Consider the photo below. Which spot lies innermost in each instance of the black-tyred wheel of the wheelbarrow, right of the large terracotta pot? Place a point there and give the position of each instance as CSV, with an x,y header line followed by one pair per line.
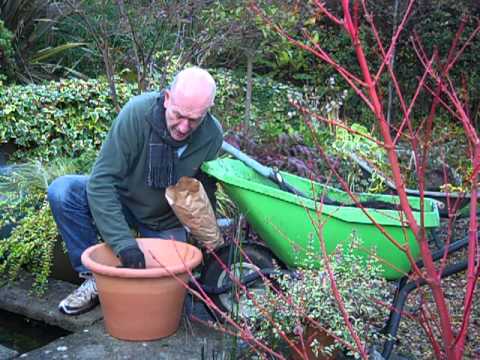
x,y
216,275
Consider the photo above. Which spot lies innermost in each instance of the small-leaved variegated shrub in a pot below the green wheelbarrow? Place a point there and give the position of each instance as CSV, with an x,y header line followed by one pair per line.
x,y
304,309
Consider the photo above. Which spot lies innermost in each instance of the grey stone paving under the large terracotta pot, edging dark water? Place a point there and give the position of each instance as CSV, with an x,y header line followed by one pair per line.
x,y
90,340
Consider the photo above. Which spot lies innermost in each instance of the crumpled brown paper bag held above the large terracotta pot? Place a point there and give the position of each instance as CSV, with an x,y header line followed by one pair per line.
x,y
190,203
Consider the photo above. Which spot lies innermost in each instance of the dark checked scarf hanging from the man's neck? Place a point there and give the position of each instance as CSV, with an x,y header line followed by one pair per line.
x,y
162,149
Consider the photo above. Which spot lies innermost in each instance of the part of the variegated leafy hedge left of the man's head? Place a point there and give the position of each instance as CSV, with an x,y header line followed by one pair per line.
x,y
57,118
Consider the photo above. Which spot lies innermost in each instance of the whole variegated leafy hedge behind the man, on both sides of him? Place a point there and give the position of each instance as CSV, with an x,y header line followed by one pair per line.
x,y
68,117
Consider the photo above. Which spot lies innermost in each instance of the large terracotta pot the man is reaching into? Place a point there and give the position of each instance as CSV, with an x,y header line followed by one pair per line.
x,y
142,304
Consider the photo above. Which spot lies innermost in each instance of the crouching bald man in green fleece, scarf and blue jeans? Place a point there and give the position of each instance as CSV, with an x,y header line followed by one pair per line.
x,y
156,139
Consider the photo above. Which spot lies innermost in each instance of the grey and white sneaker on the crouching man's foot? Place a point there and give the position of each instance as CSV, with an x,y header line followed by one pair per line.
x,y
82,299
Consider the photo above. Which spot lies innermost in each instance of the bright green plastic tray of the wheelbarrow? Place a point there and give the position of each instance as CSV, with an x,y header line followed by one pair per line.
x,y
290,224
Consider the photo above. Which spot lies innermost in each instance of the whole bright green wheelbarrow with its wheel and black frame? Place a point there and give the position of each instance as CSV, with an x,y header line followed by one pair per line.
x,y
286,218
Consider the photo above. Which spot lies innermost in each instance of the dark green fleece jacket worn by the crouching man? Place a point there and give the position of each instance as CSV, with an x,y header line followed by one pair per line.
x,y
118,176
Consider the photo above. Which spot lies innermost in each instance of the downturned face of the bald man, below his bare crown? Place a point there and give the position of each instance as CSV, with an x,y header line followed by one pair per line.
x,y
183,115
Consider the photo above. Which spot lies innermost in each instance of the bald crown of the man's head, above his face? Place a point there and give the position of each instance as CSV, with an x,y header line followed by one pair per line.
x,y
194,84
